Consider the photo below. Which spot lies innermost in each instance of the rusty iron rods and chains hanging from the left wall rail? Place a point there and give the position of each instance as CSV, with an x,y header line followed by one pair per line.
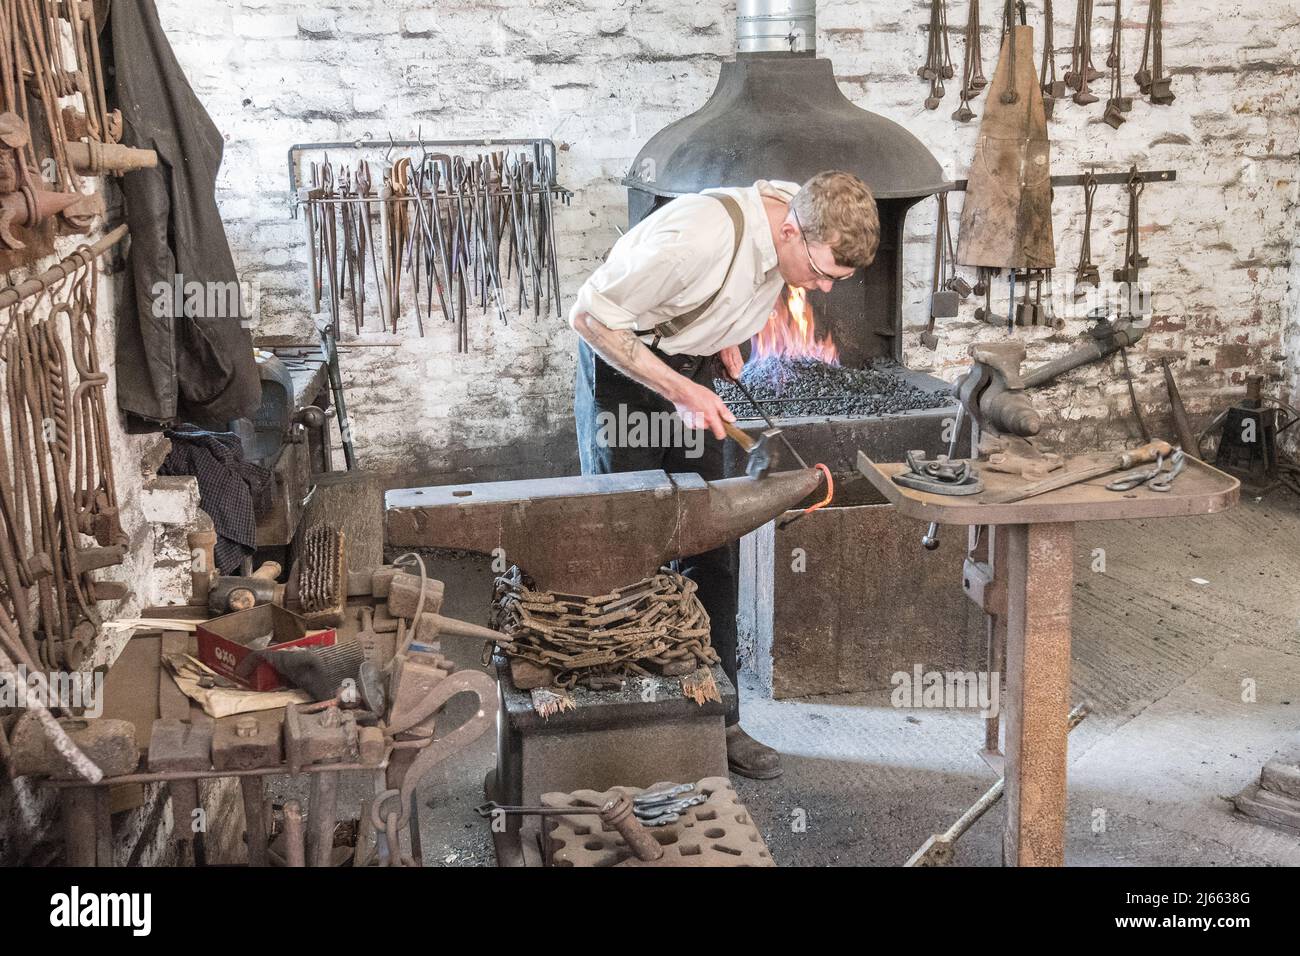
x,y
57,474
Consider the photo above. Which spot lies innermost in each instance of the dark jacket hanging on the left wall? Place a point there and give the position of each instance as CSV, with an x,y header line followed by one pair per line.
x,y
193,367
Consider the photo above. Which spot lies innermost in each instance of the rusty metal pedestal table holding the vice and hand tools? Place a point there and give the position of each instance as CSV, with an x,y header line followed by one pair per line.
x,y
1039,600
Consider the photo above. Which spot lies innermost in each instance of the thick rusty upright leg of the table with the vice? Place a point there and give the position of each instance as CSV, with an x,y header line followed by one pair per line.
x,y
1041,591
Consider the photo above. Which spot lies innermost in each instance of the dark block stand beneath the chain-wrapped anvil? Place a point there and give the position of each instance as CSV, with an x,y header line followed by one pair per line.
x,y
636,737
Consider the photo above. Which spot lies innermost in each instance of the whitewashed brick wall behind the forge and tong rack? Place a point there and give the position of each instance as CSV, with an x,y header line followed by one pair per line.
x,y
603,76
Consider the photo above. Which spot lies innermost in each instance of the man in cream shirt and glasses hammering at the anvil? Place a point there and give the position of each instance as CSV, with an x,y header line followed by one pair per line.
x,y
673,305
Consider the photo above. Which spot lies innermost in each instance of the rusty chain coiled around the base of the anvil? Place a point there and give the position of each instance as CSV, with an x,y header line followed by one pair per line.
x,y
656,624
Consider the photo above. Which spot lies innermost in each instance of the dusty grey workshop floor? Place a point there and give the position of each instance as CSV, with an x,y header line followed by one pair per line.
x,y
1185,613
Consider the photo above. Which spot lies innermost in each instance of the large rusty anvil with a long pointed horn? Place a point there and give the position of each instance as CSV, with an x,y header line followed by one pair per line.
x,y
595,534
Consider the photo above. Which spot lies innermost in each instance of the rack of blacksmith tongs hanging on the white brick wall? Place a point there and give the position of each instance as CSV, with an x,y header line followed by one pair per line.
x,y
427,227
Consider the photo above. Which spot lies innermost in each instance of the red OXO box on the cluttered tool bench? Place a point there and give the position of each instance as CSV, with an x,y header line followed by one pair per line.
x,y
224,642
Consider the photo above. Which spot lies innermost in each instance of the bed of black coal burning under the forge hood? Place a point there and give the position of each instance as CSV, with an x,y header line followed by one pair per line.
x,y
799,388
